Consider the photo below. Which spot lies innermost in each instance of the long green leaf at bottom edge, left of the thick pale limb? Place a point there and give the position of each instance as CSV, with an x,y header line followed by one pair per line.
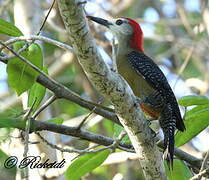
x,y
85,164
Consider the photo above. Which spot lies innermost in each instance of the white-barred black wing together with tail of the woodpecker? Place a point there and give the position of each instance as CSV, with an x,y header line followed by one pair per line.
x,y
170,117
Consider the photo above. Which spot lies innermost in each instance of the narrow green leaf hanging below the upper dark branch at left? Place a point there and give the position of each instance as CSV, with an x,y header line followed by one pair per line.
x,y
36,93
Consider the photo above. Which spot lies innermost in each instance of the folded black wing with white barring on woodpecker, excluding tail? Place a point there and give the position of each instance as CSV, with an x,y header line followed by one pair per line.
x,y
145,67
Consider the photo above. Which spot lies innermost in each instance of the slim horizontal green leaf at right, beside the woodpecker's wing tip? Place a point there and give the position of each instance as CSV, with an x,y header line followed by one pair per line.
x,y
193,100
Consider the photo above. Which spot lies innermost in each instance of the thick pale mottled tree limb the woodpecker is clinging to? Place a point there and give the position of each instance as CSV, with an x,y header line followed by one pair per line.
x,y
113,87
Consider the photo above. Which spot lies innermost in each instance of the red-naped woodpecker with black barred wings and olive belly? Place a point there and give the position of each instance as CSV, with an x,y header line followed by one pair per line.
x,y
145,78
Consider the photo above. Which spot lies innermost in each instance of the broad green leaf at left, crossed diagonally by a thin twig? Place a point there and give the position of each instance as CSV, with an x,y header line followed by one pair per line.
x,y
21,76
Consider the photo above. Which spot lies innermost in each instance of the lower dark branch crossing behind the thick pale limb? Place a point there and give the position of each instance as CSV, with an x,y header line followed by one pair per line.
x,y
37,125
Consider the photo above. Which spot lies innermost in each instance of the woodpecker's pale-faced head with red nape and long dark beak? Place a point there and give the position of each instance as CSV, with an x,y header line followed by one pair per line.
x,y
123,27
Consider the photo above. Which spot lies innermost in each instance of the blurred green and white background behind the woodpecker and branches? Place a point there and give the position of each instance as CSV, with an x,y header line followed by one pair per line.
x,y
176,37
